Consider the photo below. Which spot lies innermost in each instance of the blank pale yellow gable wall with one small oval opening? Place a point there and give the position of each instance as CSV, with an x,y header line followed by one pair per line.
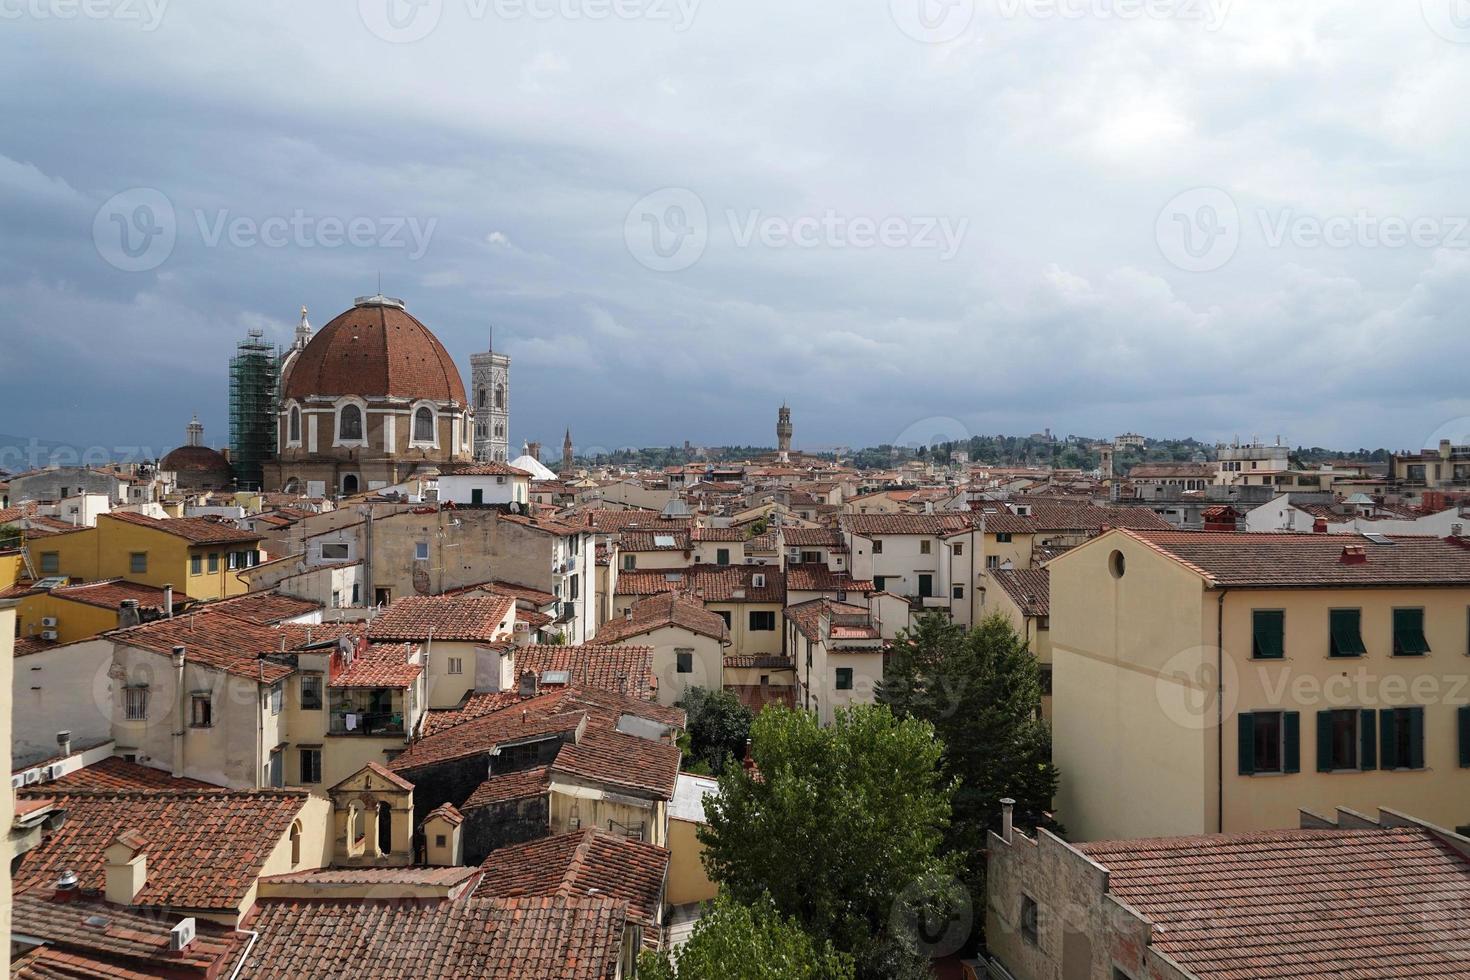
x,y
1134,725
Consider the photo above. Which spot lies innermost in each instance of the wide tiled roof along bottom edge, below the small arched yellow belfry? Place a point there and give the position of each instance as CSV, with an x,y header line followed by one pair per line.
x,y
496,940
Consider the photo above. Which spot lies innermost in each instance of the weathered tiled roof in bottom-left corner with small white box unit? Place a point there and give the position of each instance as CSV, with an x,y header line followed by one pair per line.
x,y
126,944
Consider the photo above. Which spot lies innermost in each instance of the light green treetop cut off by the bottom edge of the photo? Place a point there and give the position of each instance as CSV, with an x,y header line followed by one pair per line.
x,y
747,943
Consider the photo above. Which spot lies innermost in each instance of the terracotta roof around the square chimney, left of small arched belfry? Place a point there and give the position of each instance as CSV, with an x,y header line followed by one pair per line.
x,y
205,847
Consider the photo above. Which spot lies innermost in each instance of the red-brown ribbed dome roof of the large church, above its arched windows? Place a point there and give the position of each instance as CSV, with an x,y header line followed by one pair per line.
x,y
377,349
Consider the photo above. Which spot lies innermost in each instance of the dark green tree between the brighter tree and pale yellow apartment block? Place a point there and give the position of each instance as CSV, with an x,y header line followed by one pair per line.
x,y
981,691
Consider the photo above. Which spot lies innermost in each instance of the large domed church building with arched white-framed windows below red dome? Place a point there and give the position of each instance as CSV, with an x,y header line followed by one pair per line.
x,y
368,402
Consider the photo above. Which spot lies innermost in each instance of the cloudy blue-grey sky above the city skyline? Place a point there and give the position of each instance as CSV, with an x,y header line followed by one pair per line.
x,y
908,218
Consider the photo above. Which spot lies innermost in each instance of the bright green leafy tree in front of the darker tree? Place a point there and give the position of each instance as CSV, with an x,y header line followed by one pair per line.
x,y
839,826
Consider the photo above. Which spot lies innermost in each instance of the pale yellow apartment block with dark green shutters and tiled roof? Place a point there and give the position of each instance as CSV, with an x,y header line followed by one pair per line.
x,y
1221,682
